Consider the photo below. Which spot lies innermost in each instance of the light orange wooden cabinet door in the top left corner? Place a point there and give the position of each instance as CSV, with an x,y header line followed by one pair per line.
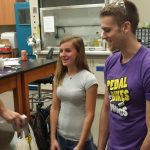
x,y
7,16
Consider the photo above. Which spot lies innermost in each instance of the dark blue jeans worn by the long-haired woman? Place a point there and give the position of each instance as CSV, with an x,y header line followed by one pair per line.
x,y
70,145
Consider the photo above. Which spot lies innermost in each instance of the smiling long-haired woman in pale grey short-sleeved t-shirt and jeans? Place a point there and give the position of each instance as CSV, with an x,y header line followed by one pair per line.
x,y
74,98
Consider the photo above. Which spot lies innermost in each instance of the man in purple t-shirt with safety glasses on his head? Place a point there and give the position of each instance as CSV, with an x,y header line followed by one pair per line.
x,y
125,113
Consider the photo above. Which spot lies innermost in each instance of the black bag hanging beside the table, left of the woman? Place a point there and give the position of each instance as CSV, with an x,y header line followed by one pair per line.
x,y
40,124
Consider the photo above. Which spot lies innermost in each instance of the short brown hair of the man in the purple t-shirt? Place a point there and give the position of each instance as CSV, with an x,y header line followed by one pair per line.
x,y
122,14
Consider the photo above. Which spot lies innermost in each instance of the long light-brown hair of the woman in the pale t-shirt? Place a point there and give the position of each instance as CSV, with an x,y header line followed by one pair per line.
x,y
81,61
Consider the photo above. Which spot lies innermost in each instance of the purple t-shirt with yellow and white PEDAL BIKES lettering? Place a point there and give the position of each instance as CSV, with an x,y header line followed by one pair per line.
x,y
129,88
